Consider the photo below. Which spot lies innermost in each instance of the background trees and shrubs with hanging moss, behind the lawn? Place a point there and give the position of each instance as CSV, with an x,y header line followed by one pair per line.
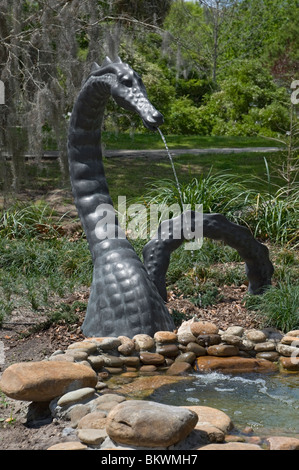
x,y
191,55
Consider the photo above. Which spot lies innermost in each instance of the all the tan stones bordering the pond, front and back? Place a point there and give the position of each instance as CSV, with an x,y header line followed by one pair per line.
x,y
72,386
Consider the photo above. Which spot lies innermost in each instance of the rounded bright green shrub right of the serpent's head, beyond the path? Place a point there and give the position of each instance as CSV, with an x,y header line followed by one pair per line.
x,y
248,103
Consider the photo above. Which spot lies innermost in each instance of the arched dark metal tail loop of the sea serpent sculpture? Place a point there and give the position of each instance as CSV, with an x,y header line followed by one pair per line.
x,y
157,251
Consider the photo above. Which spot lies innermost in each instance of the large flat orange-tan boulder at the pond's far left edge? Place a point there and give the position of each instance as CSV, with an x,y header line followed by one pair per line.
x,y
45,380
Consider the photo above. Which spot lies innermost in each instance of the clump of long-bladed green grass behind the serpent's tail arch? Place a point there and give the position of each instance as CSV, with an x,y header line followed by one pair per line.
x,y
269,216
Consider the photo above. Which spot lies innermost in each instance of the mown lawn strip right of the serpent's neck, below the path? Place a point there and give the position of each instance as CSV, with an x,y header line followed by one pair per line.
x,y
130,177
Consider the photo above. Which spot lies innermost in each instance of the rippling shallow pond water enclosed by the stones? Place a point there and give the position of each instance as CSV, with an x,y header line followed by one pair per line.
x,y
267,403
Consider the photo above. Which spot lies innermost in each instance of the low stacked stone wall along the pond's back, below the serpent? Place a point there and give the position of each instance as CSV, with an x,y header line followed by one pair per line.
x,y
198,345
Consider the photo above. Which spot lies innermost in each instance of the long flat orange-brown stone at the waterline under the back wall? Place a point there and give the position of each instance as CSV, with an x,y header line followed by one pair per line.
x,y
232,364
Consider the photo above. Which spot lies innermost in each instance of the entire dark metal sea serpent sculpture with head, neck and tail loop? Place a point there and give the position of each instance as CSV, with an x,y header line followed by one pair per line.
x,y
128,297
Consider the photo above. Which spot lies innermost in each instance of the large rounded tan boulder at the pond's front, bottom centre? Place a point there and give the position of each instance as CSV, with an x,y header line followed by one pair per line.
x,y
149,424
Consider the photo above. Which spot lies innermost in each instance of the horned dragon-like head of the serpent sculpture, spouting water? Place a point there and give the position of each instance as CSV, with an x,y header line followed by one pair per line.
x,y
128,91
